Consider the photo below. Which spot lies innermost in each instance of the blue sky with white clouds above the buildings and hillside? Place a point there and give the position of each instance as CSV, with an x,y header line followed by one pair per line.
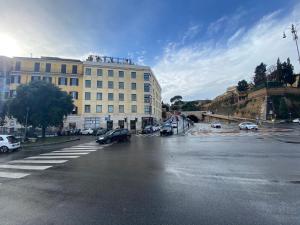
x,y
196,48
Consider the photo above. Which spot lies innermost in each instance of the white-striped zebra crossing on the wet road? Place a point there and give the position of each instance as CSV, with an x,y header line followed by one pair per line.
x,y
21,168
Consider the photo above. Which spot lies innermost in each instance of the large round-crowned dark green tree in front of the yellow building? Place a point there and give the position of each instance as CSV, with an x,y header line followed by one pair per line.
x,y
45,104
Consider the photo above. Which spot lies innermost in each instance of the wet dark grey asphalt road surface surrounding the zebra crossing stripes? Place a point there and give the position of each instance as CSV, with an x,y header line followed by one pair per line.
x,y
152,180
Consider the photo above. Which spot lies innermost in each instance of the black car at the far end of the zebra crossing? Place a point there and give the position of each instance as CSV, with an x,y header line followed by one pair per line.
x,y
114,135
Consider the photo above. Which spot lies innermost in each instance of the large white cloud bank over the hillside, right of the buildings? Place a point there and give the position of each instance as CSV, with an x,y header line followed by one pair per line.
x,y
205,70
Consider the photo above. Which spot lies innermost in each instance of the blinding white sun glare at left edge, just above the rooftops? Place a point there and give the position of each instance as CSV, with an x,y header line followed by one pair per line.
x,y
8,46
